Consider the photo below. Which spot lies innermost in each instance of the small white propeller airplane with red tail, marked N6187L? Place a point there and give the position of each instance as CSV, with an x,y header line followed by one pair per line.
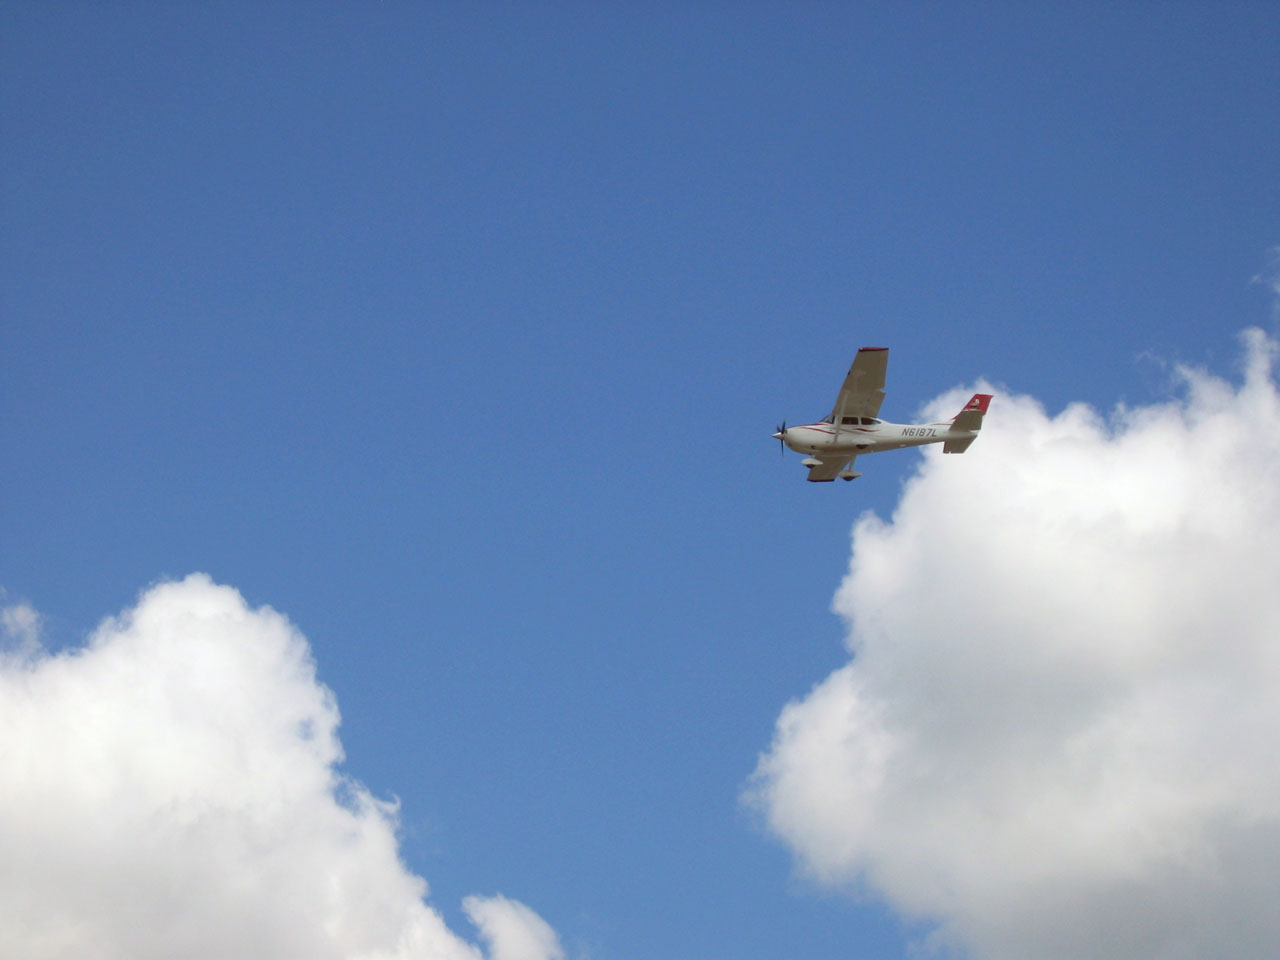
x,y
834,444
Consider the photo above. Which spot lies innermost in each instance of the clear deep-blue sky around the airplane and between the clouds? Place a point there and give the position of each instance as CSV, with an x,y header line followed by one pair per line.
x,y
458,332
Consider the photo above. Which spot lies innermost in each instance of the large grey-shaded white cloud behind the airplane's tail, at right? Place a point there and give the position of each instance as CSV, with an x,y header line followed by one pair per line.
x,y
1059,728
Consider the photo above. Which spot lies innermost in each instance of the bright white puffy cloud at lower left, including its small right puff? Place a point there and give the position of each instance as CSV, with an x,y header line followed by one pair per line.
x,y
172,790
